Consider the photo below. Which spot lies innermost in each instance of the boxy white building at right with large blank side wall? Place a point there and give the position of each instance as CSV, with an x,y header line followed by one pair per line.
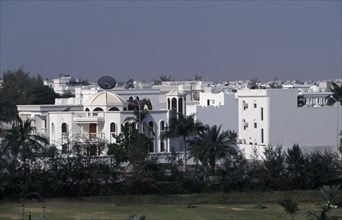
x,y
285,117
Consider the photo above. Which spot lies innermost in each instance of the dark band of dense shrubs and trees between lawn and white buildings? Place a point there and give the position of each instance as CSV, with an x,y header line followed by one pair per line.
x,y
46,170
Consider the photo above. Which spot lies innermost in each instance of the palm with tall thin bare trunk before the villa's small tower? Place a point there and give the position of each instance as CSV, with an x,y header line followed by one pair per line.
x,y
183,126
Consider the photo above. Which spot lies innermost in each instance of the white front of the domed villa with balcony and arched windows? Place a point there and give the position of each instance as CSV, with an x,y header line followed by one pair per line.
x,y
99,118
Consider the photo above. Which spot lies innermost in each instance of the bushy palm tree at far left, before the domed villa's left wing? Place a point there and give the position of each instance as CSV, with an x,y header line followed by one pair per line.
x,y
22,140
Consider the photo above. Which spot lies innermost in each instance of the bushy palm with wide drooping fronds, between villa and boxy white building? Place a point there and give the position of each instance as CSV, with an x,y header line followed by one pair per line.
x,y
212,144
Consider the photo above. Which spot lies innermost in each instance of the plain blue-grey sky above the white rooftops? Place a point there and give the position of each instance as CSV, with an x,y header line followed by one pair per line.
x,y
219,40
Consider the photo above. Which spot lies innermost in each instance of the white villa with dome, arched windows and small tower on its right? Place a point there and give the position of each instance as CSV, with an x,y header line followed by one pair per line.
x,y
95,115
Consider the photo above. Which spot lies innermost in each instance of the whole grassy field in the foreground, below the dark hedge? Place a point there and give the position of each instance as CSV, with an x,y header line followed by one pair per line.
x,y
230,206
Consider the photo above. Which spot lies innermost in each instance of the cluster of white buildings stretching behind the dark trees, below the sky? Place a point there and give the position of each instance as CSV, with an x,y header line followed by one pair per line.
x,y
293,114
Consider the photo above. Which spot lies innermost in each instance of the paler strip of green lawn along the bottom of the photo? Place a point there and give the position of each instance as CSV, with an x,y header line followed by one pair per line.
x,y
95,210
